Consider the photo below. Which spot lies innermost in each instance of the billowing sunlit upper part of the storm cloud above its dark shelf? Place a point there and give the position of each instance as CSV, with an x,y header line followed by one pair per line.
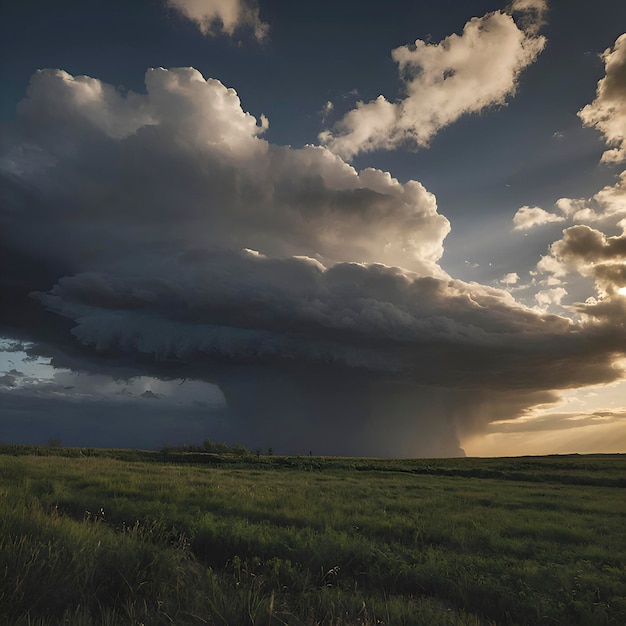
x,y
200,166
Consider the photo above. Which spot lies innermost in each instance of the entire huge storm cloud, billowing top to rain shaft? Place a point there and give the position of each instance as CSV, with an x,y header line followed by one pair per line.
x,y
160,235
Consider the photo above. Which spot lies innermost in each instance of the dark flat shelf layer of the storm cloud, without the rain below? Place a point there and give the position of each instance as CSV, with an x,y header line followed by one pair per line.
x,y
237,307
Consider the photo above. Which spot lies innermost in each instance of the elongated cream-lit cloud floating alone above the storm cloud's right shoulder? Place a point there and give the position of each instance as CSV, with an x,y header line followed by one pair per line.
x,y
460,75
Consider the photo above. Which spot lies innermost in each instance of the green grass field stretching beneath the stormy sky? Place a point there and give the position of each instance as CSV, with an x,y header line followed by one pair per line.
x,y
128,537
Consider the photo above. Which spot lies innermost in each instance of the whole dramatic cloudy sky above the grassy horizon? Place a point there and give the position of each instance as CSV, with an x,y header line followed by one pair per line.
x,y
353,228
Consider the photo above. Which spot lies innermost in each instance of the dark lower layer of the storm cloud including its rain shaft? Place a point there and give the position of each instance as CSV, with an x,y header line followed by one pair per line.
x,y
386,362
